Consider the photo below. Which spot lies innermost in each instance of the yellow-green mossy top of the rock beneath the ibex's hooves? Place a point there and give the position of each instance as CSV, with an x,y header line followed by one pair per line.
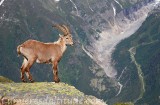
x,y
40,88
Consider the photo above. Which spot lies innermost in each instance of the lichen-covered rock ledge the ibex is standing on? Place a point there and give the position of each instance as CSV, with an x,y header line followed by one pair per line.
x,y
44,93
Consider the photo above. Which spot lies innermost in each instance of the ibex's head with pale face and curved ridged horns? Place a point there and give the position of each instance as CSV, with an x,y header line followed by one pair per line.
x,y
66,37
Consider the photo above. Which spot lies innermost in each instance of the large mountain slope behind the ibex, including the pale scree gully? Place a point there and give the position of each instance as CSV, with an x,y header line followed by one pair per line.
x,y
97,27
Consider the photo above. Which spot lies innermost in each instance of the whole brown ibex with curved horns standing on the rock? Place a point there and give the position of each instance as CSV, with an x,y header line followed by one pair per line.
x,y
36,51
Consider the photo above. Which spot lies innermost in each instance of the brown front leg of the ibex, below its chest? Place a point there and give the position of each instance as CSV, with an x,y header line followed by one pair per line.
x,y
55,72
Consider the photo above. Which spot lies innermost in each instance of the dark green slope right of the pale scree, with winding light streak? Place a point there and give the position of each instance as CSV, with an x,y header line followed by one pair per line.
x,y
143,46
